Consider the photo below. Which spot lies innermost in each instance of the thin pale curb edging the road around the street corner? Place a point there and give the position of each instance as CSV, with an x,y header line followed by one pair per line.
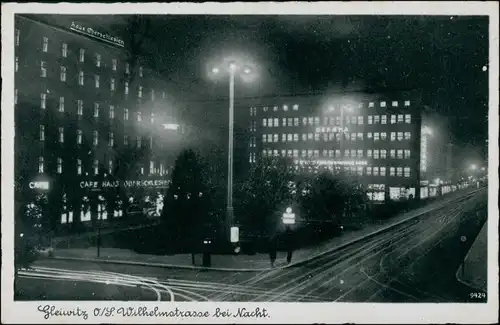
x,y
298,263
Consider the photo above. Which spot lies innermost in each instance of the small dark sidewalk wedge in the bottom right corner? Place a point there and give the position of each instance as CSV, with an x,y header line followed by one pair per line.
x,y
475,267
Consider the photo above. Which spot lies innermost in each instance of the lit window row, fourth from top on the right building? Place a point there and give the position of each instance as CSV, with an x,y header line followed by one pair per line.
x,y
349,153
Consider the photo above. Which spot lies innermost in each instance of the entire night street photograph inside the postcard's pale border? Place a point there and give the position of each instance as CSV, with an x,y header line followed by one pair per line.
x,y
251,158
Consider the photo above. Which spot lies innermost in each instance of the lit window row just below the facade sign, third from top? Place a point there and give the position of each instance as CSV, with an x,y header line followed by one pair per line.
x,y
294,137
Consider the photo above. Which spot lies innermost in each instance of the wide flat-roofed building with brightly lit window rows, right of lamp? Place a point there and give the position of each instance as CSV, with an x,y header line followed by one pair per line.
x,y
373,137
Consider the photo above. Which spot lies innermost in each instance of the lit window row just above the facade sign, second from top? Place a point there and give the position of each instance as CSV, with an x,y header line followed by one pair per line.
x,y
336,121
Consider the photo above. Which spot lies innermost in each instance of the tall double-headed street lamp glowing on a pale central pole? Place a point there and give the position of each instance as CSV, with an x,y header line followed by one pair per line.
x,y
233,69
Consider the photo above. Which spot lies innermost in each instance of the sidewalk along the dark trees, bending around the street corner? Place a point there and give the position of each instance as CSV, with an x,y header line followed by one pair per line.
x,y
257,262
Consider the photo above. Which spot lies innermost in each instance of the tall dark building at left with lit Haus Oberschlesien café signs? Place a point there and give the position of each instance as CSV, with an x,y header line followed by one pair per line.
x,y
93,137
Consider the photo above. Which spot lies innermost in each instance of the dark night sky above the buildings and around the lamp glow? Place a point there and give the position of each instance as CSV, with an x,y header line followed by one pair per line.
x,y
442,55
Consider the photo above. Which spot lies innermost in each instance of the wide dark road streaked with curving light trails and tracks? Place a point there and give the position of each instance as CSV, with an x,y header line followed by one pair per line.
x,y
414,262
